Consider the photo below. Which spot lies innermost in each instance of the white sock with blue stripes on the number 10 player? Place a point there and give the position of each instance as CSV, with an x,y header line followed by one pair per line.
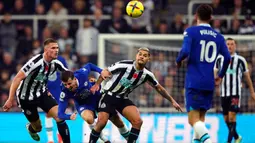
x,y
202,132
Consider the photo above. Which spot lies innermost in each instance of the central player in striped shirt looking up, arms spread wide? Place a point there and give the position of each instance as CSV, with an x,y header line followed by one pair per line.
x,y
125,76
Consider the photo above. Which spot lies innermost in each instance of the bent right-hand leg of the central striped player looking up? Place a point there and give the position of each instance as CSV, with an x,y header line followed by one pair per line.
x,y
131,112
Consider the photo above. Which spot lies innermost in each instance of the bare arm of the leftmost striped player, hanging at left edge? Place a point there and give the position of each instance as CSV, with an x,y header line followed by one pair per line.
x,y
14,86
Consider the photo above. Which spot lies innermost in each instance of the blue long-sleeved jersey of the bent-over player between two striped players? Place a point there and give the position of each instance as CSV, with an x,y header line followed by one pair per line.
x,y
82,95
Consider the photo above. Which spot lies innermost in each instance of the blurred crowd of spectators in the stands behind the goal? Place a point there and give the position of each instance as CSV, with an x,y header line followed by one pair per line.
x,y
79,45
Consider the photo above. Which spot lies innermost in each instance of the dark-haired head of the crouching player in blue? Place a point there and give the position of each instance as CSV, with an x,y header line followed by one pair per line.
x,y
68,80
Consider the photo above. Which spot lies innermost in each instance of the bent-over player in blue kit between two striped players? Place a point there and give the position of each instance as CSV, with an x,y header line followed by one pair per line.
x,y
76,86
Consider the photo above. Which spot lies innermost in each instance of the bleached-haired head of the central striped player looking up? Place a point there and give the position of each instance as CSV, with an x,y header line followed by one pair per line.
x,y
142,56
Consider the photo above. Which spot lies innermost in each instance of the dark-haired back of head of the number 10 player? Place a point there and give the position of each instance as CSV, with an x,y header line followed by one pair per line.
x,y
204,13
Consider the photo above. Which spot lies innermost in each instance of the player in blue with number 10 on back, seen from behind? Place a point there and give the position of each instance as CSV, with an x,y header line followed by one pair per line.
x,y
201,45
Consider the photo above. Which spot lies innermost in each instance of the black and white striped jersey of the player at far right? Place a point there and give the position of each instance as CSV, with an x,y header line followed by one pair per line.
x,y
232,82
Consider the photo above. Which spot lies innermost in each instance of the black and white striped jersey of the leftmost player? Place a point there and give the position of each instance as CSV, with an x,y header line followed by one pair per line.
x,y
37,71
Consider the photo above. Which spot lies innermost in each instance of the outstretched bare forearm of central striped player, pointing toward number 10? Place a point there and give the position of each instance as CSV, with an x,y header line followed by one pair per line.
x,y
162,91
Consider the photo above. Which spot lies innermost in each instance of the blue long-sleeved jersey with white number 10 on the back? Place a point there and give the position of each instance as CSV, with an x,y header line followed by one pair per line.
x,y
201,45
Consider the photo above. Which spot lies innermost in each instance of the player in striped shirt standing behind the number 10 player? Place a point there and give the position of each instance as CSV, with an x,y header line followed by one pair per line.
x,y
231,87
